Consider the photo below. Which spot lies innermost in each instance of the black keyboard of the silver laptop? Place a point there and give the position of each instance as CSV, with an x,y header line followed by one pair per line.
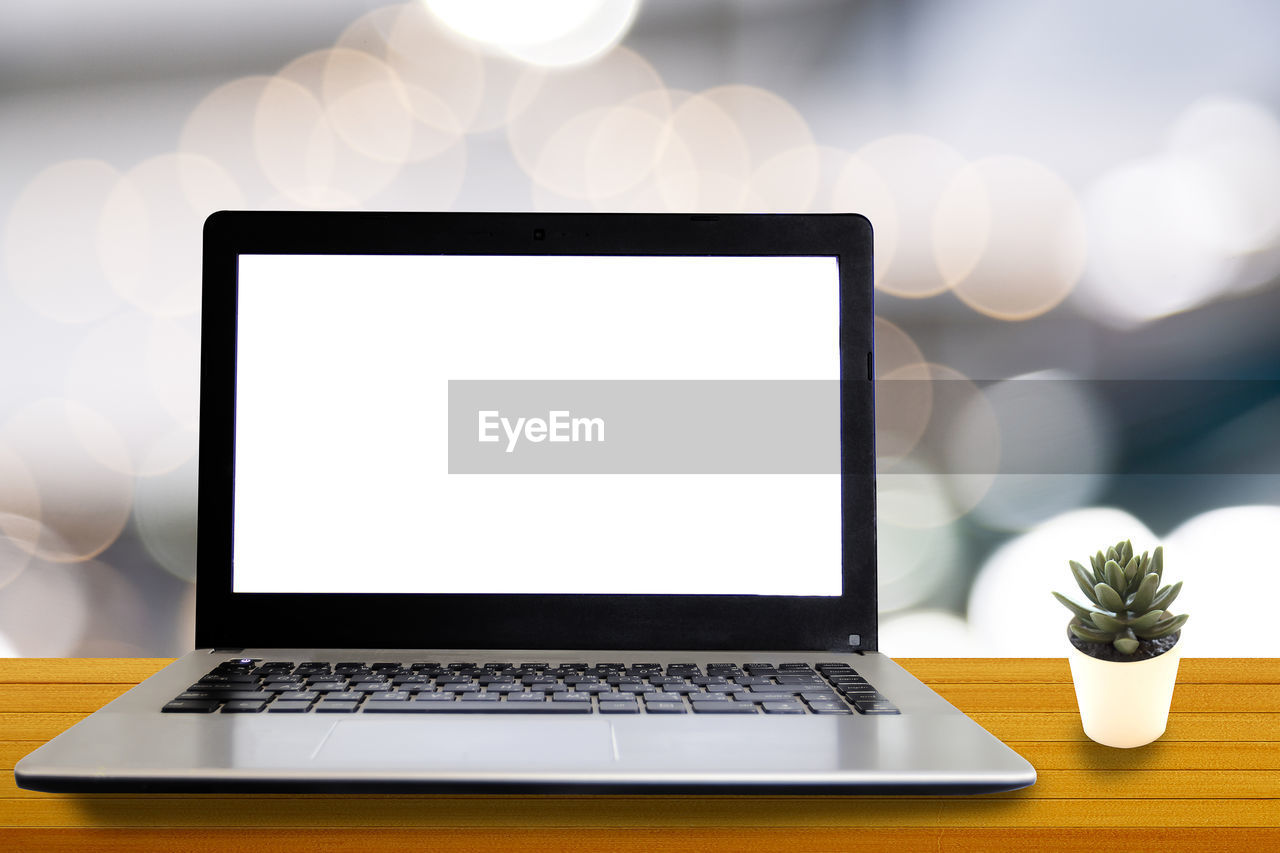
x,y
246,686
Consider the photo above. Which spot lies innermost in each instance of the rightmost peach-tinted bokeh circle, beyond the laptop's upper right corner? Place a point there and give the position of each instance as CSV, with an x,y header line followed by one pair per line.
x,y
1009,238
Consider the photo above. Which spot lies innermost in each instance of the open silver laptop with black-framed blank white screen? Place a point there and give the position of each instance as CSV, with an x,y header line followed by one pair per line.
x,y
534,503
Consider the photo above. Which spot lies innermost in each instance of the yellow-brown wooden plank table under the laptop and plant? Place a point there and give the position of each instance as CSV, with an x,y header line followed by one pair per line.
x,y
1212,783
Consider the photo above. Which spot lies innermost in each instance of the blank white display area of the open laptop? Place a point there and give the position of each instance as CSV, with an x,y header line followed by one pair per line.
x,y
538,425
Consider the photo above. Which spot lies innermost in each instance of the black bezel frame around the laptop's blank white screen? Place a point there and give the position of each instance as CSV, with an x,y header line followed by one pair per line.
x,y
413,621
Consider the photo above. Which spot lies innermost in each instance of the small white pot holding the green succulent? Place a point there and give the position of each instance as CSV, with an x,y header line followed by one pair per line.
x,y
1124,704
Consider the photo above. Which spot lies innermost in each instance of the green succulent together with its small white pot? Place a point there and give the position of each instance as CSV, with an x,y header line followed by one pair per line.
x,y
1126,646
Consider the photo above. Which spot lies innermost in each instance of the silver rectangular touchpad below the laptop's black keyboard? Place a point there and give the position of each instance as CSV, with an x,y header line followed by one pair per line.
x,y
469,743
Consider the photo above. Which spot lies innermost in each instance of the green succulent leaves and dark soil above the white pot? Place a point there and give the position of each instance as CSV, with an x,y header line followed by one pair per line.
x,y
1127,603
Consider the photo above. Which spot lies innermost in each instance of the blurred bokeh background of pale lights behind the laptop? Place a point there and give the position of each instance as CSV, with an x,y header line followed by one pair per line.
x,y
1078,236
